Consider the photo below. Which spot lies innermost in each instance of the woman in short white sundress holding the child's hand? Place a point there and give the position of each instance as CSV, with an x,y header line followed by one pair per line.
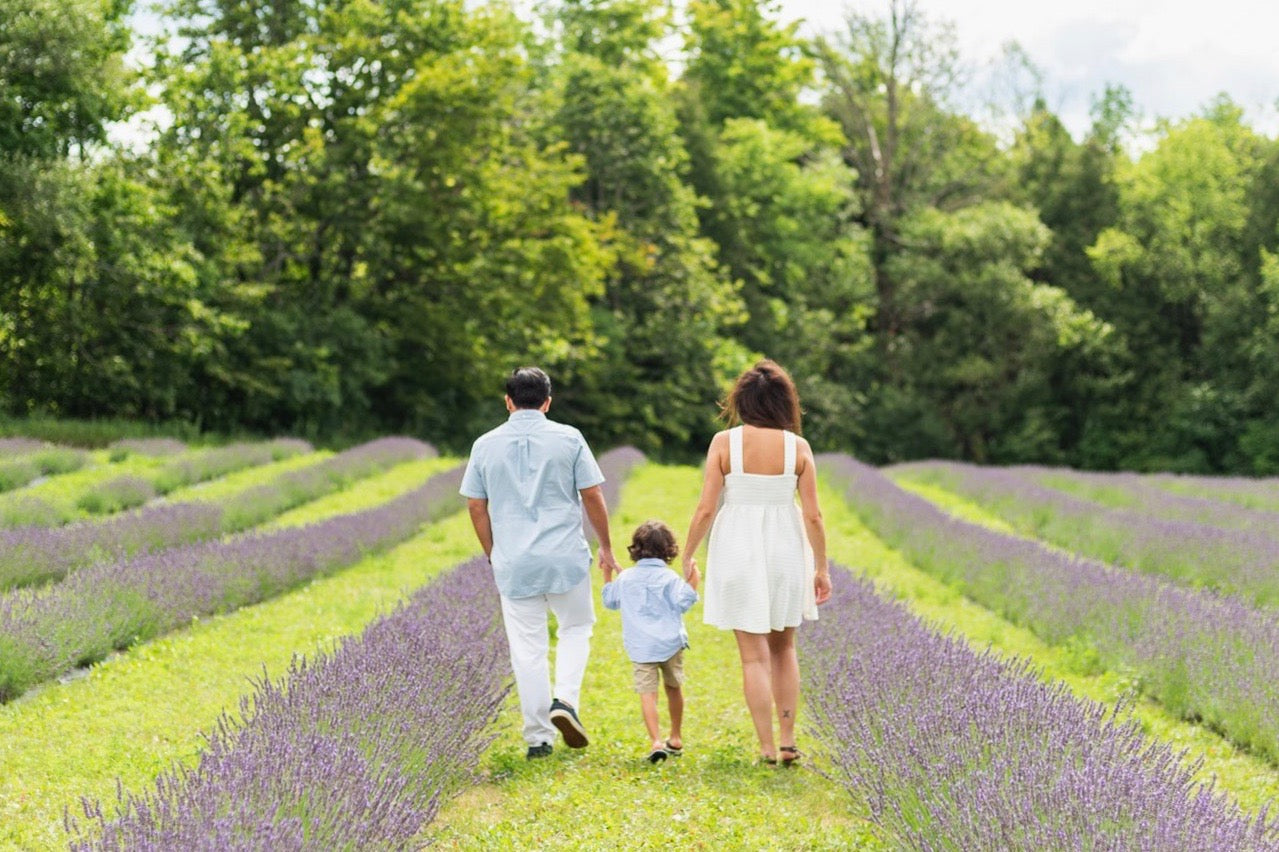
x,y
767,561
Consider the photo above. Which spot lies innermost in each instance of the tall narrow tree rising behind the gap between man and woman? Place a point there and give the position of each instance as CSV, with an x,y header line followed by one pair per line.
x,y
666,312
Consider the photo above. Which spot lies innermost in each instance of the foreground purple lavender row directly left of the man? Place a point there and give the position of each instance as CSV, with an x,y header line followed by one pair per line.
x,y
357,749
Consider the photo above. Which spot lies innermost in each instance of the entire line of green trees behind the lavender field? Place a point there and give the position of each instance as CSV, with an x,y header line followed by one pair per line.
x,y
337,218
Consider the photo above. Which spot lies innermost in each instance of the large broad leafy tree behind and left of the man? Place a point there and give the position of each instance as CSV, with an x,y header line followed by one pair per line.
x,y
368,199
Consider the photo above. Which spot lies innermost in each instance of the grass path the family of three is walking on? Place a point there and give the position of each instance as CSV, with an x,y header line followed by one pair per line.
x,y
607,796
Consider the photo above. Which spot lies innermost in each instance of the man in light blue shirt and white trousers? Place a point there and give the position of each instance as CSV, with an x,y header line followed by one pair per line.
x,y
526,485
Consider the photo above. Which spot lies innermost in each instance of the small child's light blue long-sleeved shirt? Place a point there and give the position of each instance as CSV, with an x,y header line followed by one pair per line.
x,y
653,599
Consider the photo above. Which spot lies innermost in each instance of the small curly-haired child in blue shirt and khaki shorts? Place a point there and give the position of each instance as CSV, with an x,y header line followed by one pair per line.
x,y
653,598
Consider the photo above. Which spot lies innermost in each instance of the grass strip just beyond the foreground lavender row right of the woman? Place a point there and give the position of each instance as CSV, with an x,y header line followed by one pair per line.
x,y
1250,780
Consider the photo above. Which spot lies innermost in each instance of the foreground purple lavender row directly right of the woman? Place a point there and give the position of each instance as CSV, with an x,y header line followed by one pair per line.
x,y
957,750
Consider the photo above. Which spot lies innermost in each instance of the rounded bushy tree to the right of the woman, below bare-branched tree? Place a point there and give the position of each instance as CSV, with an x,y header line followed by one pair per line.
x,y
991,347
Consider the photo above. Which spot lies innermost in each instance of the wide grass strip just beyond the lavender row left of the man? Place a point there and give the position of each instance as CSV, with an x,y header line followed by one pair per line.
x,y
137,713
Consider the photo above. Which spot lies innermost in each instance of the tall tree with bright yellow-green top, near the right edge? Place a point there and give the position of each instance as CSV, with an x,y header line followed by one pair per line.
x,y
1182,296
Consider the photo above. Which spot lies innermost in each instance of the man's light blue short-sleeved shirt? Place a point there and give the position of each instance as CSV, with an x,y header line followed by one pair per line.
x,y
531,470
